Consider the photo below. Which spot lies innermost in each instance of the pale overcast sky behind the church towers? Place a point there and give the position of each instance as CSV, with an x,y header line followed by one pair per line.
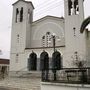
x,y
42,8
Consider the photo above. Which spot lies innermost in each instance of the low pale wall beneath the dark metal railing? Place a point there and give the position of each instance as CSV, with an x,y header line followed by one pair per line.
x,y
63,86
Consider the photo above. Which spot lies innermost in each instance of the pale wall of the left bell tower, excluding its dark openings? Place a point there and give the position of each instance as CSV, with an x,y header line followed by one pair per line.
x,y
23,30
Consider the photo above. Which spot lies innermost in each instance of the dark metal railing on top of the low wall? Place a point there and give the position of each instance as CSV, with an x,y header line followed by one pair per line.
x,y
67,75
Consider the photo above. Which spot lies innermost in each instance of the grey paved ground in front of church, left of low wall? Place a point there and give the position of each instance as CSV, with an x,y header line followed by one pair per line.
x,y
20,83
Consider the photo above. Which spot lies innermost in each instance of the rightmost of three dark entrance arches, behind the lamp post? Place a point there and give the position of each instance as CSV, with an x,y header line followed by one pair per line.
x,y
56,60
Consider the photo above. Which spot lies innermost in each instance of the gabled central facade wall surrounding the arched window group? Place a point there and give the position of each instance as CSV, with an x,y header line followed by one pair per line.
x,y
47,24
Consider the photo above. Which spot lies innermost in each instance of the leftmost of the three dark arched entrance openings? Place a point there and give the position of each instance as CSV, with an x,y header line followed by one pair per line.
x,y
32,61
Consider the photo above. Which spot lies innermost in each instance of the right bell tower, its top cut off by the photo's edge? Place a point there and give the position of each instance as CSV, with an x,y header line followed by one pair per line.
x,y
74,41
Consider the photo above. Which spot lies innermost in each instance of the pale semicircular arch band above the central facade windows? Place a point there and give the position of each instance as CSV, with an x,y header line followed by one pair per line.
x,y
55,26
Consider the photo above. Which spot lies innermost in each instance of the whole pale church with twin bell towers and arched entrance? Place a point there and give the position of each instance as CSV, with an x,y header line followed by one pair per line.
x,y
30,36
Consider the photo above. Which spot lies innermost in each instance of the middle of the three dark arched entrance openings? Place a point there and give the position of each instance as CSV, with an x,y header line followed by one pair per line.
x,y
44,61
